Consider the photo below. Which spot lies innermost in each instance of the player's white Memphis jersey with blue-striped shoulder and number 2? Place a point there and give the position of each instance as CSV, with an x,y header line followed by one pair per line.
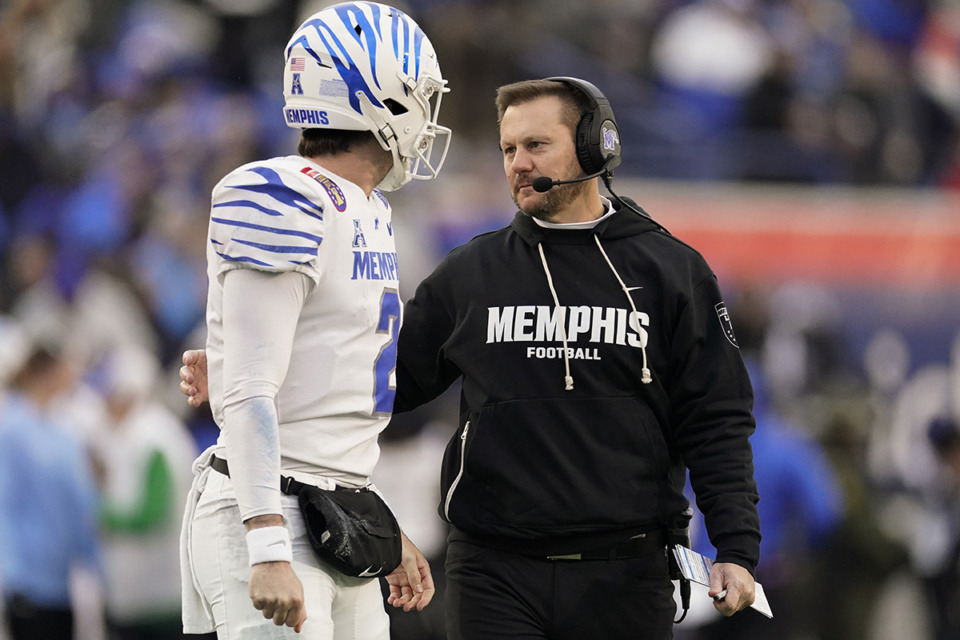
x,y
290,214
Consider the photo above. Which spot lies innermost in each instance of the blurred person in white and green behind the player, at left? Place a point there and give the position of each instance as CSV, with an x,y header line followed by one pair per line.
x,y
145,455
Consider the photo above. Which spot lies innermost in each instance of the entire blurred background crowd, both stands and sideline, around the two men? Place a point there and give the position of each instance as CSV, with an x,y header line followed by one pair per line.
x,y
117,117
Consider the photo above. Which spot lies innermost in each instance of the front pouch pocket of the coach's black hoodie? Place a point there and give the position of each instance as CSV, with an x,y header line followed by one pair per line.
x,y
563,463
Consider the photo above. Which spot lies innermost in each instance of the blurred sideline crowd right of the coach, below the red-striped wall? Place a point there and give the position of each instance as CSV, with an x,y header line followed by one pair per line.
x,y
858,467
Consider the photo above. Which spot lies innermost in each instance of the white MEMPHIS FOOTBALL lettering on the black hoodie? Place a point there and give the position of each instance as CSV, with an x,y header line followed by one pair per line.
x,y
541,323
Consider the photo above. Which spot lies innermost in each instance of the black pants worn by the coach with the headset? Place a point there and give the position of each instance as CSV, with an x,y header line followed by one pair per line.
x,y
495,595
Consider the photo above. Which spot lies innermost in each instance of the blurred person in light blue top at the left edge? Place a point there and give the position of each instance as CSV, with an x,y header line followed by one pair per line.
x,y
48,503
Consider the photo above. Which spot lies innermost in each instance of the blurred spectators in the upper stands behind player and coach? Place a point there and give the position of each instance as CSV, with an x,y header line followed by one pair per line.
x,y
117,117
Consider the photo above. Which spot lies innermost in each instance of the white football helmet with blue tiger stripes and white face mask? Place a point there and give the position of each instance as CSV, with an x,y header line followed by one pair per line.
x,y
364,66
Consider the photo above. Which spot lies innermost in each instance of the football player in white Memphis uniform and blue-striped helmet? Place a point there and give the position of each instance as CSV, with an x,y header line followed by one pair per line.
x,y
303,311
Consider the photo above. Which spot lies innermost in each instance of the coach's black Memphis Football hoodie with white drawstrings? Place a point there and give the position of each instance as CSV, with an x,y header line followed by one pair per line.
x,y
537,467
